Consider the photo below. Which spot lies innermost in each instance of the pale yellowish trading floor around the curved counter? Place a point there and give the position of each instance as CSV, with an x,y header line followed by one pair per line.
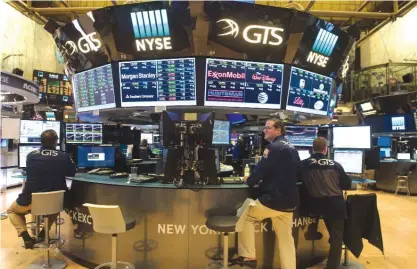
x,y
399,229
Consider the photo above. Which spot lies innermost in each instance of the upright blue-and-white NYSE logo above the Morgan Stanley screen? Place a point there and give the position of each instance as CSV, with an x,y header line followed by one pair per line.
x,y
151,30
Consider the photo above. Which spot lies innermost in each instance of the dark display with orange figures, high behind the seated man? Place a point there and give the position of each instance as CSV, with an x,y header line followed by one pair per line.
x,y
53,88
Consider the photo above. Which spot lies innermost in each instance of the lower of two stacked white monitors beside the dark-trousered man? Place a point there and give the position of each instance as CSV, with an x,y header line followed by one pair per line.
x,y
351,160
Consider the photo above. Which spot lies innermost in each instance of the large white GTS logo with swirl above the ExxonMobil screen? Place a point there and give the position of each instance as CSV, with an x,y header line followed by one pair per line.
x,y
255,34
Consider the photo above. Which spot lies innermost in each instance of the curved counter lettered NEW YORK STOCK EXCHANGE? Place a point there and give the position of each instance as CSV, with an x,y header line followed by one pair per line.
x,y
170,227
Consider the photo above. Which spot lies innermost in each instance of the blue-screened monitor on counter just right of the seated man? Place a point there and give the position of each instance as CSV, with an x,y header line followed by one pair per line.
x,y
95,157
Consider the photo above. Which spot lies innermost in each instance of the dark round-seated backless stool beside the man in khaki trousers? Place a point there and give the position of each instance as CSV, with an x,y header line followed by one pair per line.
x,y
225,225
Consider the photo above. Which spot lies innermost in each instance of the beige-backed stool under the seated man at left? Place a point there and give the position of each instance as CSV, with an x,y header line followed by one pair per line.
x,y
45,204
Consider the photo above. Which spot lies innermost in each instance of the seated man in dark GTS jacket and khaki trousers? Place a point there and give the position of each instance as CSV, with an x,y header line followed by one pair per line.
x,y
46,170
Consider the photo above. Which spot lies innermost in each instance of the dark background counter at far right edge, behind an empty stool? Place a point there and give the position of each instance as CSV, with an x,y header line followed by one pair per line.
x,y
386,175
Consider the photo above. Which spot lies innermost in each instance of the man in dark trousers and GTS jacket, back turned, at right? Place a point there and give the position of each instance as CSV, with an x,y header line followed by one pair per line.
x,y
325,179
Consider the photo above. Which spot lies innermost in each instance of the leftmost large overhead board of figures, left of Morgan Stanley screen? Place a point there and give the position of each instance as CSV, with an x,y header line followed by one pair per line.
x,y
94,89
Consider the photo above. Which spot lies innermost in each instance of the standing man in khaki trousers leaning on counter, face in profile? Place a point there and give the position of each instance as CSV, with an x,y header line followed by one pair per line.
x,y
277,174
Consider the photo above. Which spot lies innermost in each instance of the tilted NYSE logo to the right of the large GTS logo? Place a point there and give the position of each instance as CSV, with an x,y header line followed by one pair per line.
x,y
322,48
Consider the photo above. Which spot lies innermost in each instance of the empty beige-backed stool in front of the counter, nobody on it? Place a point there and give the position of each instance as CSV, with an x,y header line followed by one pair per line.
x,y
108,219
